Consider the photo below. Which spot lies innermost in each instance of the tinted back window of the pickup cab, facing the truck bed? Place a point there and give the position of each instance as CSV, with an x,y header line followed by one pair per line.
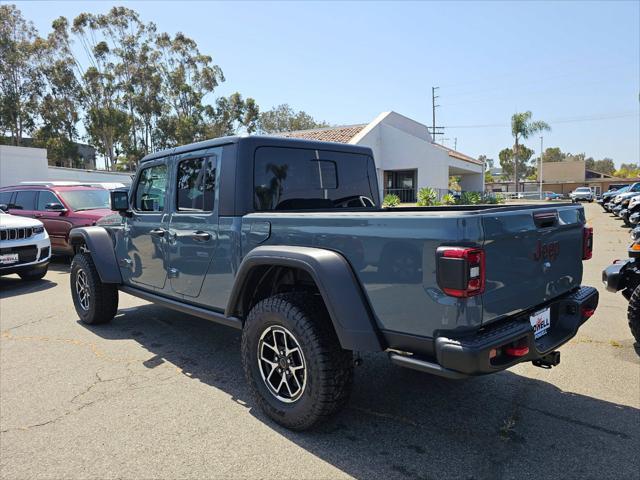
x,y
301,179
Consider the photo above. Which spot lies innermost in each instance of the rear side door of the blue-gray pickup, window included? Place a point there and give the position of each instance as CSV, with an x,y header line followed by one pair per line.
x,y
193,228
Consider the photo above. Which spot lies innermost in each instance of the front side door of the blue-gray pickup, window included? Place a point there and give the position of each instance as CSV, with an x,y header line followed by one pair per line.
x,y
146,228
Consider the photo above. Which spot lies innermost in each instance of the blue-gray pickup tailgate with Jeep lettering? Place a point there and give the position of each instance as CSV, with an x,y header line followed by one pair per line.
x,y
532,256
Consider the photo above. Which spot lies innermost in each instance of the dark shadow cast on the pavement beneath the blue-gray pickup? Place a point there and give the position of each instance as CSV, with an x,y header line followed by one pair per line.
x,y
403,424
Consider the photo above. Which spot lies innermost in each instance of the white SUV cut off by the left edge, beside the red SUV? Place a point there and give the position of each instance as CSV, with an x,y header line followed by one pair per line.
x,y
25,247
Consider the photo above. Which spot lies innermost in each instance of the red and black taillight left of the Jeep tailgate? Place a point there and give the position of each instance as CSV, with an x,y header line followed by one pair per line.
x,y
460,271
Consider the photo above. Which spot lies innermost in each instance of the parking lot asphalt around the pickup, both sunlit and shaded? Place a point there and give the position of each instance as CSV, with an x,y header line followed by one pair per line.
x,y
158,394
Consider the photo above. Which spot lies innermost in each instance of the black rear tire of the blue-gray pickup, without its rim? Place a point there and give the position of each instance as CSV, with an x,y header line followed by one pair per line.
x,y
329,368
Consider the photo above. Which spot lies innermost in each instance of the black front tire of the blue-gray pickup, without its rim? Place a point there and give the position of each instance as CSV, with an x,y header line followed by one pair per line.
x,y
103,297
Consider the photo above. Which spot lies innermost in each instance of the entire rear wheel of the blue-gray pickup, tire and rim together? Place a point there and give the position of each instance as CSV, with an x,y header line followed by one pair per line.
x,y
293,361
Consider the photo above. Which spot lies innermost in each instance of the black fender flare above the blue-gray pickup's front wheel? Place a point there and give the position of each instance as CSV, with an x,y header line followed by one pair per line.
x,y
100,246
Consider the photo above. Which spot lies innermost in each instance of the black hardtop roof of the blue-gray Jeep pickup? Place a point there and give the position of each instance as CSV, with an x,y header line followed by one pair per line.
x,y
259,141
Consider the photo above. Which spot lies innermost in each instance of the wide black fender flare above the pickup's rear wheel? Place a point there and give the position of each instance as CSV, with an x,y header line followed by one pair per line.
x,y
348,308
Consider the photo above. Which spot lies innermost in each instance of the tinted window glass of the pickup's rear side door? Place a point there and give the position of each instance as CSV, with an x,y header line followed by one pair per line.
x,y
196,184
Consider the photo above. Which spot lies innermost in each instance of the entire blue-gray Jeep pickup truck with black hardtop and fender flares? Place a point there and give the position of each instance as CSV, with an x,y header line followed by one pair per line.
x,y
285,240
